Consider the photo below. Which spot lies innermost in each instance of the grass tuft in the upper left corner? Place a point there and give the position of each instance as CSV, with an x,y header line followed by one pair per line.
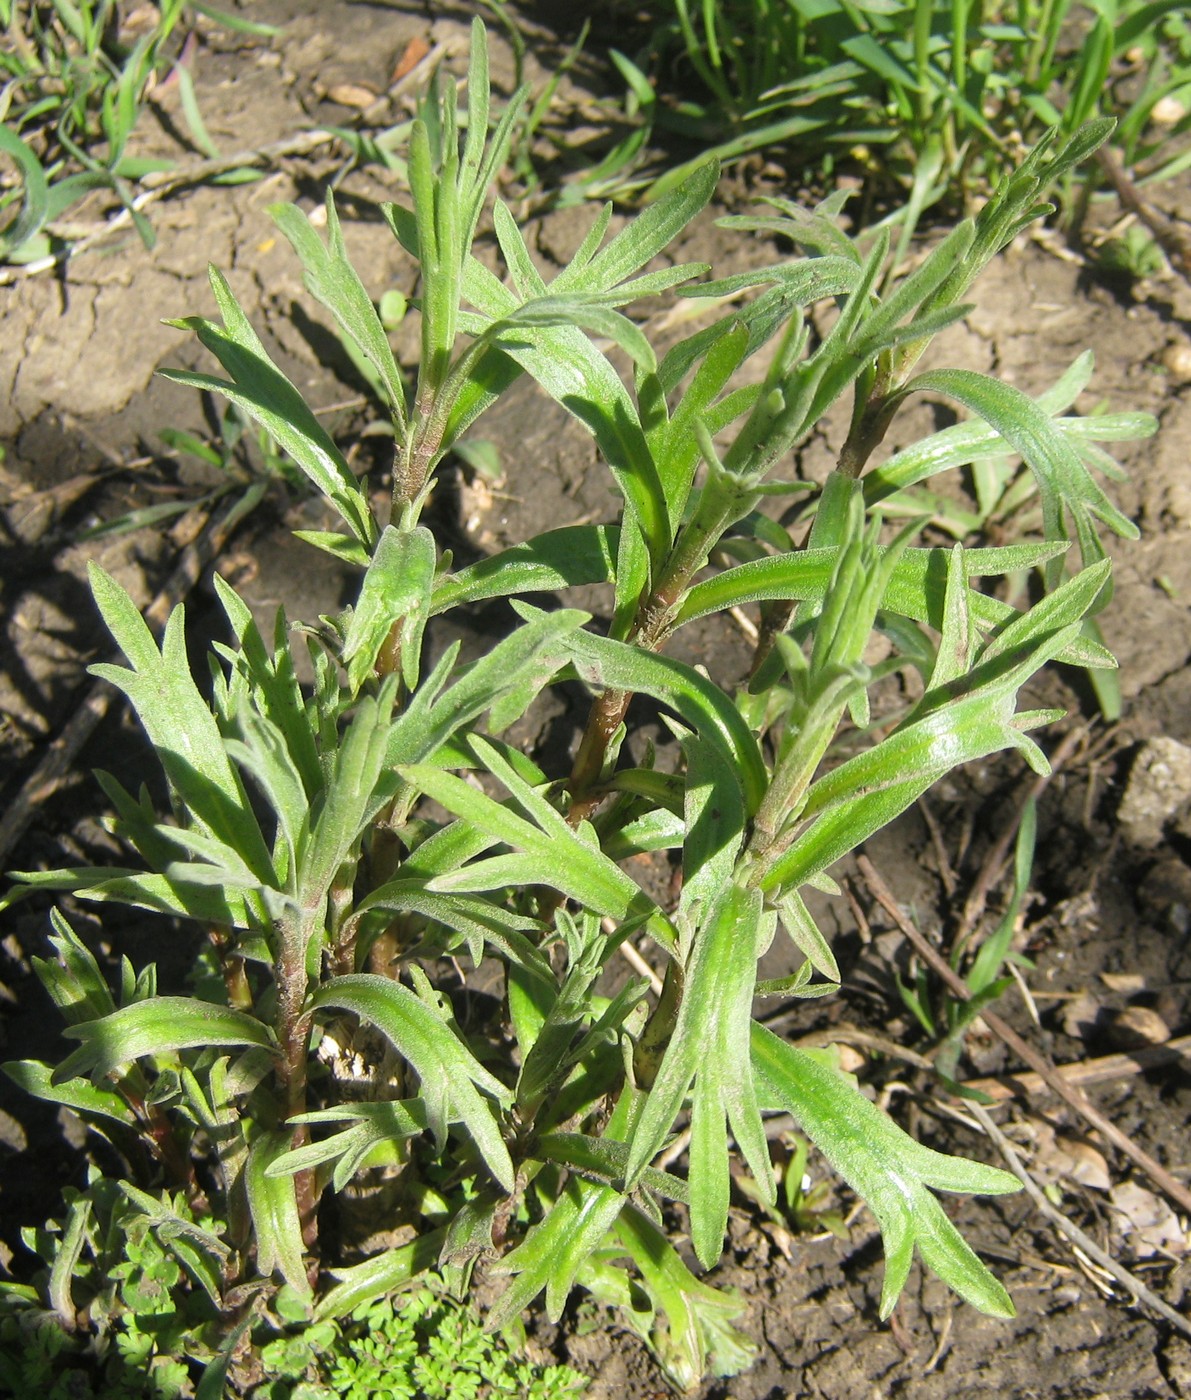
x,y
73,90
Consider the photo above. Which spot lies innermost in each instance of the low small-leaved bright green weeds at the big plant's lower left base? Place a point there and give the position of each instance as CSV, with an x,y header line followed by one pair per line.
x,y
146,1276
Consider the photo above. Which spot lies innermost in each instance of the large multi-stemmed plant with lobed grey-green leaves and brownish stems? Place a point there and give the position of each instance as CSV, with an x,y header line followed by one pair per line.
x,y
320,1048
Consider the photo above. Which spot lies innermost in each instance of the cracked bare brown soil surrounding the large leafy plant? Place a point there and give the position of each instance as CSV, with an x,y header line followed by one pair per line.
x,y
1111,915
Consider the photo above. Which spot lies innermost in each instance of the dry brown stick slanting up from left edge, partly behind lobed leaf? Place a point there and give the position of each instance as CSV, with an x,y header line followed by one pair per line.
x,y
59,759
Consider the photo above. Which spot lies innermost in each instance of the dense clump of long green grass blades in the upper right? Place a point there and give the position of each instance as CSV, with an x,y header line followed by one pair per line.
x,y
951,93
